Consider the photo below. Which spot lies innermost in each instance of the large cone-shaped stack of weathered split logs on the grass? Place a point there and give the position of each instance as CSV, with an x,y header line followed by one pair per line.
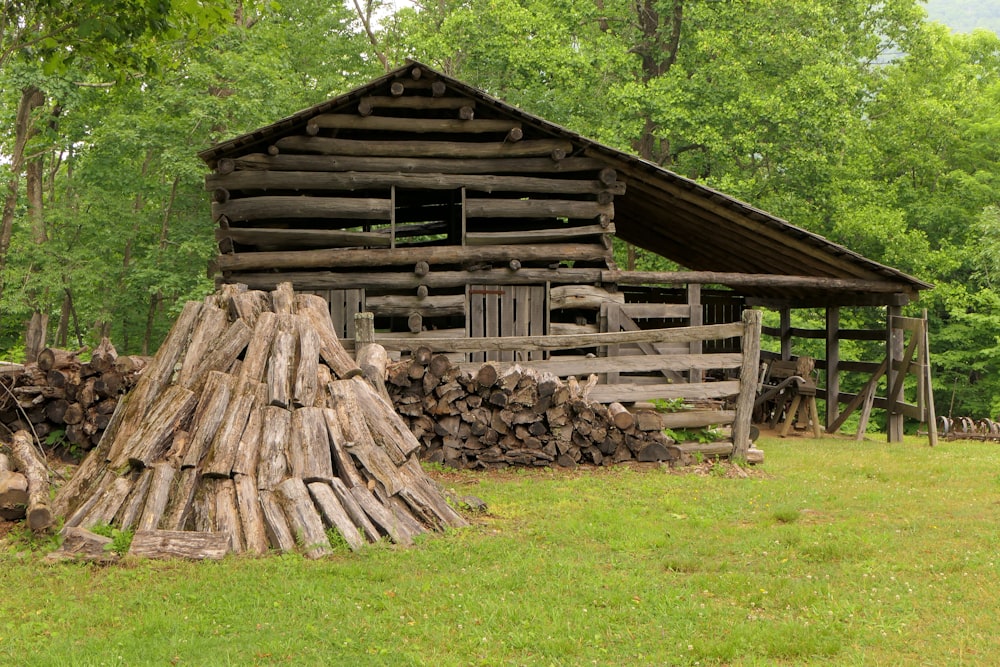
x,y
253,422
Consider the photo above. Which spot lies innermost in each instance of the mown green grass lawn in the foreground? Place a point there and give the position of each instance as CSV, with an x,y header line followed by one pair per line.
x,y
835,552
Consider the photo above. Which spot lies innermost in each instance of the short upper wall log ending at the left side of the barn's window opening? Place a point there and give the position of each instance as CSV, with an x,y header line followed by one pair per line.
x,y
297,208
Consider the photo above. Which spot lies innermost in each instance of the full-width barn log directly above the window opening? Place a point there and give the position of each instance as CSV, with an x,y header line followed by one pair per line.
x,y
361,180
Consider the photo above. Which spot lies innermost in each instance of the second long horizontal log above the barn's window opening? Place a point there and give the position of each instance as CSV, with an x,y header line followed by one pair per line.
x,y
410,165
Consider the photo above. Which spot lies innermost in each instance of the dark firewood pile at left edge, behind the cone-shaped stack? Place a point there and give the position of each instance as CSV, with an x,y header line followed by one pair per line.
x,y
60,393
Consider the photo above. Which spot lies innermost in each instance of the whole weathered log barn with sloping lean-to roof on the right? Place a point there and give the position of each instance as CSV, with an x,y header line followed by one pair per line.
x,y
447,213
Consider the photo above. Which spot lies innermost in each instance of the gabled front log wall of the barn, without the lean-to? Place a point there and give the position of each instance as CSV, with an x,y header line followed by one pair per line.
x,y
401,201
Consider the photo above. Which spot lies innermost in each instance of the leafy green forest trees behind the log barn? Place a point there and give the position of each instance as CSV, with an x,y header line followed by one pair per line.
x,y
862,121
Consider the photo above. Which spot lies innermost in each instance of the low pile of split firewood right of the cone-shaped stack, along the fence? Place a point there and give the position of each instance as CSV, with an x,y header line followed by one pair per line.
x,y
517,416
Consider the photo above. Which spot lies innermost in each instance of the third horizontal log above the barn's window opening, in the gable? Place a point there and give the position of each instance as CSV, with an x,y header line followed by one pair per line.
x,y
465,151
